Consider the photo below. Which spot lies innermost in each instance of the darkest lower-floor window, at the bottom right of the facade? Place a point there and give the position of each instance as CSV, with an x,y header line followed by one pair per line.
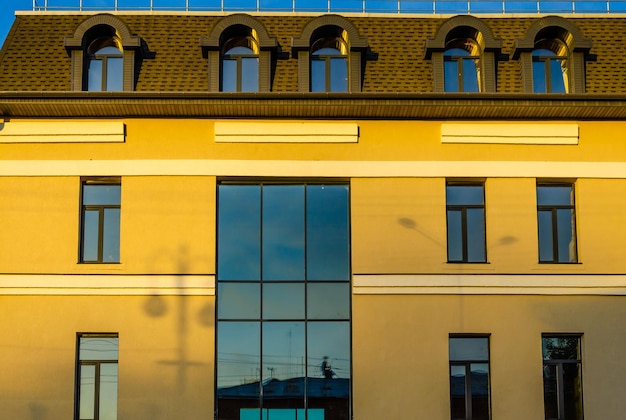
x,y
562,377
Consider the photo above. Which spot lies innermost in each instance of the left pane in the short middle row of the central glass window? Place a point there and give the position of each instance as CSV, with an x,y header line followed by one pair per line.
x,y
238,300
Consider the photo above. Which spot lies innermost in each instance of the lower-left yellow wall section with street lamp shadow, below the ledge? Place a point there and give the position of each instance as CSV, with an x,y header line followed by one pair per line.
x,y
166,354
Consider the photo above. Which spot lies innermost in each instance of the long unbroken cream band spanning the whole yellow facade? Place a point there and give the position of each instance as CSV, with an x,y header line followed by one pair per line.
x,y
311,168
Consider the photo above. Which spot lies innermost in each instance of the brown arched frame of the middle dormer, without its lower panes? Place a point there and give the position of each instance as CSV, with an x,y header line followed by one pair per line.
x,y
324,29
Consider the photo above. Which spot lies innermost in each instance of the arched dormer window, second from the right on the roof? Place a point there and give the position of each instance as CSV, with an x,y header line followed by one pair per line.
x,y
464,55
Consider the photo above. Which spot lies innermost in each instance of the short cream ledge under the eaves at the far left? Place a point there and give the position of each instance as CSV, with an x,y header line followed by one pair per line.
x,y
62,132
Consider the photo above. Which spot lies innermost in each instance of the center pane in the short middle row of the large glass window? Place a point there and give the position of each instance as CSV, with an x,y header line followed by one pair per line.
x,y
283,300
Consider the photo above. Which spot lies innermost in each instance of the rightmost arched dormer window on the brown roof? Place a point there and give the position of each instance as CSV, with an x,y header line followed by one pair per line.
x,y
553,57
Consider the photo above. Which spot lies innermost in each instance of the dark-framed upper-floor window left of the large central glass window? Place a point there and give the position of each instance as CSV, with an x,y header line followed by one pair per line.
x,y
100,230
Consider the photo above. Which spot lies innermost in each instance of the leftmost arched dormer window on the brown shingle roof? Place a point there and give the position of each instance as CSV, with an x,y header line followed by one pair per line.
x,y
103,54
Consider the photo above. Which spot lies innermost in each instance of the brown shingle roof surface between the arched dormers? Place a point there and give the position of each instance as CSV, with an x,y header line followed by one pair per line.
x,y
34,58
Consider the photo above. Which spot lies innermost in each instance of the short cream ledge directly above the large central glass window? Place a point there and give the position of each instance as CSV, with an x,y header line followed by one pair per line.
x,y
286,132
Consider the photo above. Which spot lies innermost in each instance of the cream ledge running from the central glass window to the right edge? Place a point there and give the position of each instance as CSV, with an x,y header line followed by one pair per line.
x,y
489,284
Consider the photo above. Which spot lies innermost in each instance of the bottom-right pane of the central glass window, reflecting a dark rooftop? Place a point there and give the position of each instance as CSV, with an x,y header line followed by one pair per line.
x,y
328,361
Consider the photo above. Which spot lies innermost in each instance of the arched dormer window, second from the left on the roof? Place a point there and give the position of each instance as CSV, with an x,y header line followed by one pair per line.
x,y
240,53
